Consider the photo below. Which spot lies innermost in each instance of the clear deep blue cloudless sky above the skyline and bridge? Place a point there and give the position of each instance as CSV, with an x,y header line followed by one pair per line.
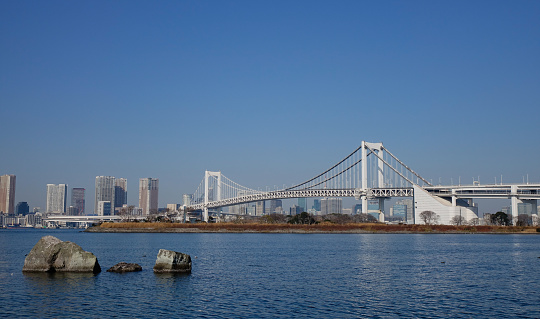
x,y
268,92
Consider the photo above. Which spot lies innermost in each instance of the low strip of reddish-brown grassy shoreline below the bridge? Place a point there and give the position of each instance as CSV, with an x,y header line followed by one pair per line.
x,y
131,227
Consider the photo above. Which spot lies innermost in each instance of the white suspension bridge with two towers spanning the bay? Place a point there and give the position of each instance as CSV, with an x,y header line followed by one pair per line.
x,y
370,172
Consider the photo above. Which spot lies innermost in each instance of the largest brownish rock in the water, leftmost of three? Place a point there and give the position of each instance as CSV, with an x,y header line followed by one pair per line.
x,y
51,254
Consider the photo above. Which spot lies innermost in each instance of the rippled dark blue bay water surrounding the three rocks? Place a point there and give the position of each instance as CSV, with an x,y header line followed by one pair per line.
x,y
282,275
